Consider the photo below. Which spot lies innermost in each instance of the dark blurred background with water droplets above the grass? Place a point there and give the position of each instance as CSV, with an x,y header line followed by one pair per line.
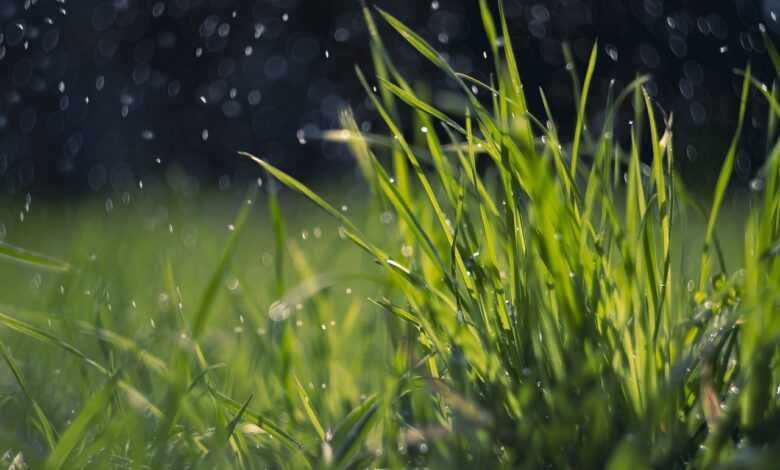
x,y
101,96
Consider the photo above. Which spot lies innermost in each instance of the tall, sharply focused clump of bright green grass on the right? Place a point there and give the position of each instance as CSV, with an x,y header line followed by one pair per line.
x,y
554,322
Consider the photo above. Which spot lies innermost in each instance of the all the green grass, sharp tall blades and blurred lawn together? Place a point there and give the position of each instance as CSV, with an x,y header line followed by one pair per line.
x,y
568,307
